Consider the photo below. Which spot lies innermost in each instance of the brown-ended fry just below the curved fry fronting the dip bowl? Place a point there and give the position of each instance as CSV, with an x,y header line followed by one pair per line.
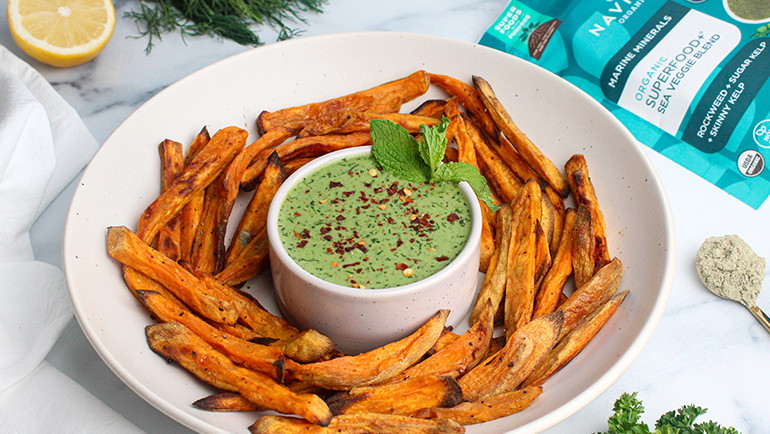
x,y
402,398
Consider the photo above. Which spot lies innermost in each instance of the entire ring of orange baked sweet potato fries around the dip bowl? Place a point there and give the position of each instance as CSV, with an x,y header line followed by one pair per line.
x,y
550,281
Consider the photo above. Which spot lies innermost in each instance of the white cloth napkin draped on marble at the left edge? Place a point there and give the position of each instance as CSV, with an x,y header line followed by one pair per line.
x,y
43,147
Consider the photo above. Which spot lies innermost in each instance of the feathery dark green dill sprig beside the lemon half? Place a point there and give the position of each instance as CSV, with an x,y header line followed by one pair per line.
x,y
227,19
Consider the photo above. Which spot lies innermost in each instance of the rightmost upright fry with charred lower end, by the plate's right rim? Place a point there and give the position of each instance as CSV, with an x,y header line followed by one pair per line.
x,y
585,194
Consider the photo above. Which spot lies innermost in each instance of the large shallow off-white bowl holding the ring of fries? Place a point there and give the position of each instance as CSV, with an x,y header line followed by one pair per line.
x,y
557,116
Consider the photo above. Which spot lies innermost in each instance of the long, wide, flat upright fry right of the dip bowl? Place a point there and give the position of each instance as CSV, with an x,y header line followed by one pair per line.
x,y
522,258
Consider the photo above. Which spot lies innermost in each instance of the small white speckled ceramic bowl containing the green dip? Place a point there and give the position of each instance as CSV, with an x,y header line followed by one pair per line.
x,y
362,319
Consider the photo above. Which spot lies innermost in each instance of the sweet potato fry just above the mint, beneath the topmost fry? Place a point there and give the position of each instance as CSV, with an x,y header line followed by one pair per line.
x,y
352,121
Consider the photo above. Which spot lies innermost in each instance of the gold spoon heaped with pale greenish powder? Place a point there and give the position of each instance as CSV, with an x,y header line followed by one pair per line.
x,y
719,268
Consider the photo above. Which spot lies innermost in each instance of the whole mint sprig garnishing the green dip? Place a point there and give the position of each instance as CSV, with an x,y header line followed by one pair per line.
x,y
399,153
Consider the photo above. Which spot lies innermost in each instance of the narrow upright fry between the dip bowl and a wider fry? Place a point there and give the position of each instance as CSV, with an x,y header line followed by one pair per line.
x,y
493,287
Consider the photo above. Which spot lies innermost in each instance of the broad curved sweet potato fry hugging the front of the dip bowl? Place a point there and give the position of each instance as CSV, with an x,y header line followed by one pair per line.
x,y
373,367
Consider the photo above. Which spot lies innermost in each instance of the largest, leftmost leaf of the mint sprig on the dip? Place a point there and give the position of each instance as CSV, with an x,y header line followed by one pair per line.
x,y
397,151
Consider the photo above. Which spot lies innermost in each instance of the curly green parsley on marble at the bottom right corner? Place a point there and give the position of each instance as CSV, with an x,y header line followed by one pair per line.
x,y
628,410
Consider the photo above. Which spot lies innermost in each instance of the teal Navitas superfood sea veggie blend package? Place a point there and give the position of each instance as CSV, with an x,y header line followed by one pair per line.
x,y
688,78
